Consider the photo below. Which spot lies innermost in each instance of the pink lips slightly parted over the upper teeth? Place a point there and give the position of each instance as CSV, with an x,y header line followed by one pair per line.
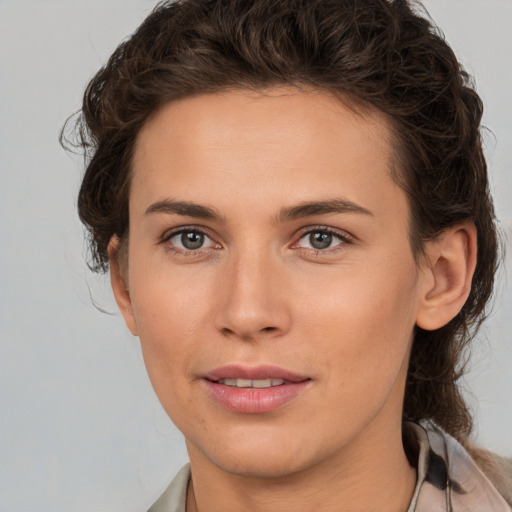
x,y
255,390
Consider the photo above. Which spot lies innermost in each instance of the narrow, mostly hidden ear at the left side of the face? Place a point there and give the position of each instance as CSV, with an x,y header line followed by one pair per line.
x,y
119,283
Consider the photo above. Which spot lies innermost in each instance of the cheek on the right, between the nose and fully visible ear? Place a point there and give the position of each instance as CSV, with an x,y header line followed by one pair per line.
x,y
363,321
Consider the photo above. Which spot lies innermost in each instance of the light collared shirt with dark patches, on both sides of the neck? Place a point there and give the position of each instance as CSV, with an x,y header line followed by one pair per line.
x,y
448,478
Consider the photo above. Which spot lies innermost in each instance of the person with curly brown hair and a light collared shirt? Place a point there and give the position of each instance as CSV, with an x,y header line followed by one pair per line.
x,y
292,201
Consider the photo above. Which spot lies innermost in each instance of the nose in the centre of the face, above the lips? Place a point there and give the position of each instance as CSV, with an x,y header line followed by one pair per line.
x,y
253,302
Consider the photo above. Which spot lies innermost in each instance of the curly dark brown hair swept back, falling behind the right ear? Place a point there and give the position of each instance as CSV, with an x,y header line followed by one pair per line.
x,y
381,53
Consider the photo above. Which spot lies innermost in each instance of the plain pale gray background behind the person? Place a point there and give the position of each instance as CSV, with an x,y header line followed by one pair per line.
x,y
80,428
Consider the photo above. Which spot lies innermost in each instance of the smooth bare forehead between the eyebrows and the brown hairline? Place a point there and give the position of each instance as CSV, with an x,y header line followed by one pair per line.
x,y
245,145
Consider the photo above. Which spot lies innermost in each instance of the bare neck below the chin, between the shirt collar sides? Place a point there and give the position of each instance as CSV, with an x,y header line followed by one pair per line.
x,y
367,476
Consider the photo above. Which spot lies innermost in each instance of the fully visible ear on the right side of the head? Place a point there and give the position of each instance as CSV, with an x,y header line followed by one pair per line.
x,y
447,273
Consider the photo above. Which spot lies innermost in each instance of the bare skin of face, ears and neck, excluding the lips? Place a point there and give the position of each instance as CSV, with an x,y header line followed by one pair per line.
x,y
258,292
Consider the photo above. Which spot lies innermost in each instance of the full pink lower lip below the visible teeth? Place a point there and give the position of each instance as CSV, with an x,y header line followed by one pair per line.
x,y
255,400
